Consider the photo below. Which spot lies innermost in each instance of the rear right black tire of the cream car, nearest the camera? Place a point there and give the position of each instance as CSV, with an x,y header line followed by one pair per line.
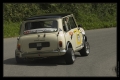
x,y
70,56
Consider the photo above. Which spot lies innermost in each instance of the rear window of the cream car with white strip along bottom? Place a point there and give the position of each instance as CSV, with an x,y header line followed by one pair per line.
x,y
47,25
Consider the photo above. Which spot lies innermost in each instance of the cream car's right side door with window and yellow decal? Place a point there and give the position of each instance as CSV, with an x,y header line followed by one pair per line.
x,y
73,34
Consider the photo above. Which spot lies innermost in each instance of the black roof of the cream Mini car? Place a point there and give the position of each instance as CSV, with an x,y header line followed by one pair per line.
x,y
45,16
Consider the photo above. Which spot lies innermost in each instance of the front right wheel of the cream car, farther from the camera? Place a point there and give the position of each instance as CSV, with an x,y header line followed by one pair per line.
x,y
85,50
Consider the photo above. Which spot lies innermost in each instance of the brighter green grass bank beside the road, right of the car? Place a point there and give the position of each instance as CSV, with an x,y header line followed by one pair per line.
x,y
92,21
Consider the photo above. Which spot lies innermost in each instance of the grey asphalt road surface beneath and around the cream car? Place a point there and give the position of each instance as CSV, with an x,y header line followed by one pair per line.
x,y
101,61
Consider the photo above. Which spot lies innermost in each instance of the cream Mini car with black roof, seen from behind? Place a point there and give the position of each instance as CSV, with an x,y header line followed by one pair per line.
x,y
49,36
